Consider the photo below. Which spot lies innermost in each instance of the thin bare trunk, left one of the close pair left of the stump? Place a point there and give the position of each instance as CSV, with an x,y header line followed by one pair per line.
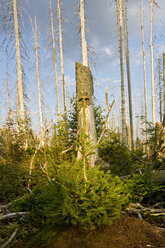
x,y
54,54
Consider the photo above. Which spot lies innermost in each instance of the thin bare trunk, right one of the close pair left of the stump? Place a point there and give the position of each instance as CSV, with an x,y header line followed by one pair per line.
x,y
61,57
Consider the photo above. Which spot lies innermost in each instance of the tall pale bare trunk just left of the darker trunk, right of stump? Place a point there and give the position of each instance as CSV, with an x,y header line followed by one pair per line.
x,y
123,90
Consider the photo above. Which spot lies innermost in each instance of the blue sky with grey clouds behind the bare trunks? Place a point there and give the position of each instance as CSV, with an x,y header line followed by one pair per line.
x,y
102,36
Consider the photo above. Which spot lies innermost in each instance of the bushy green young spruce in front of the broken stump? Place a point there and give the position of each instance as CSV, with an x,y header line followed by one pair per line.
x,y
67,199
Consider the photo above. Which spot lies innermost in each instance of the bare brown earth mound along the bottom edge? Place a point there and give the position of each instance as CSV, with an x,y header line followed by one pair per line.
x,y
126,232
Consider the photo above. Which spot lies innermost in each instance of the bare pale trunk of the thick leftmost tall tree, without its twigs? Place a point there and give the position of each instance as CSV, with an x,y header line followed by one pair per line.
x,y
18,58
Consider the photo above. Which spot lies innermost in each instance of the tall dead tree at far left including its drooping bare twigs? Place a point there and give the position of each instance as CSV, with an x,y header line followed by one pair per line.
x,y
11,14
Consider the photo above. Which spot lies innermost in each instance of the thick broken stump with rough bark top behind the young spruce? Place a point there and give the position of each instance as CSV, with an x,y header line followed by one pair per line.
x,y
84,90
